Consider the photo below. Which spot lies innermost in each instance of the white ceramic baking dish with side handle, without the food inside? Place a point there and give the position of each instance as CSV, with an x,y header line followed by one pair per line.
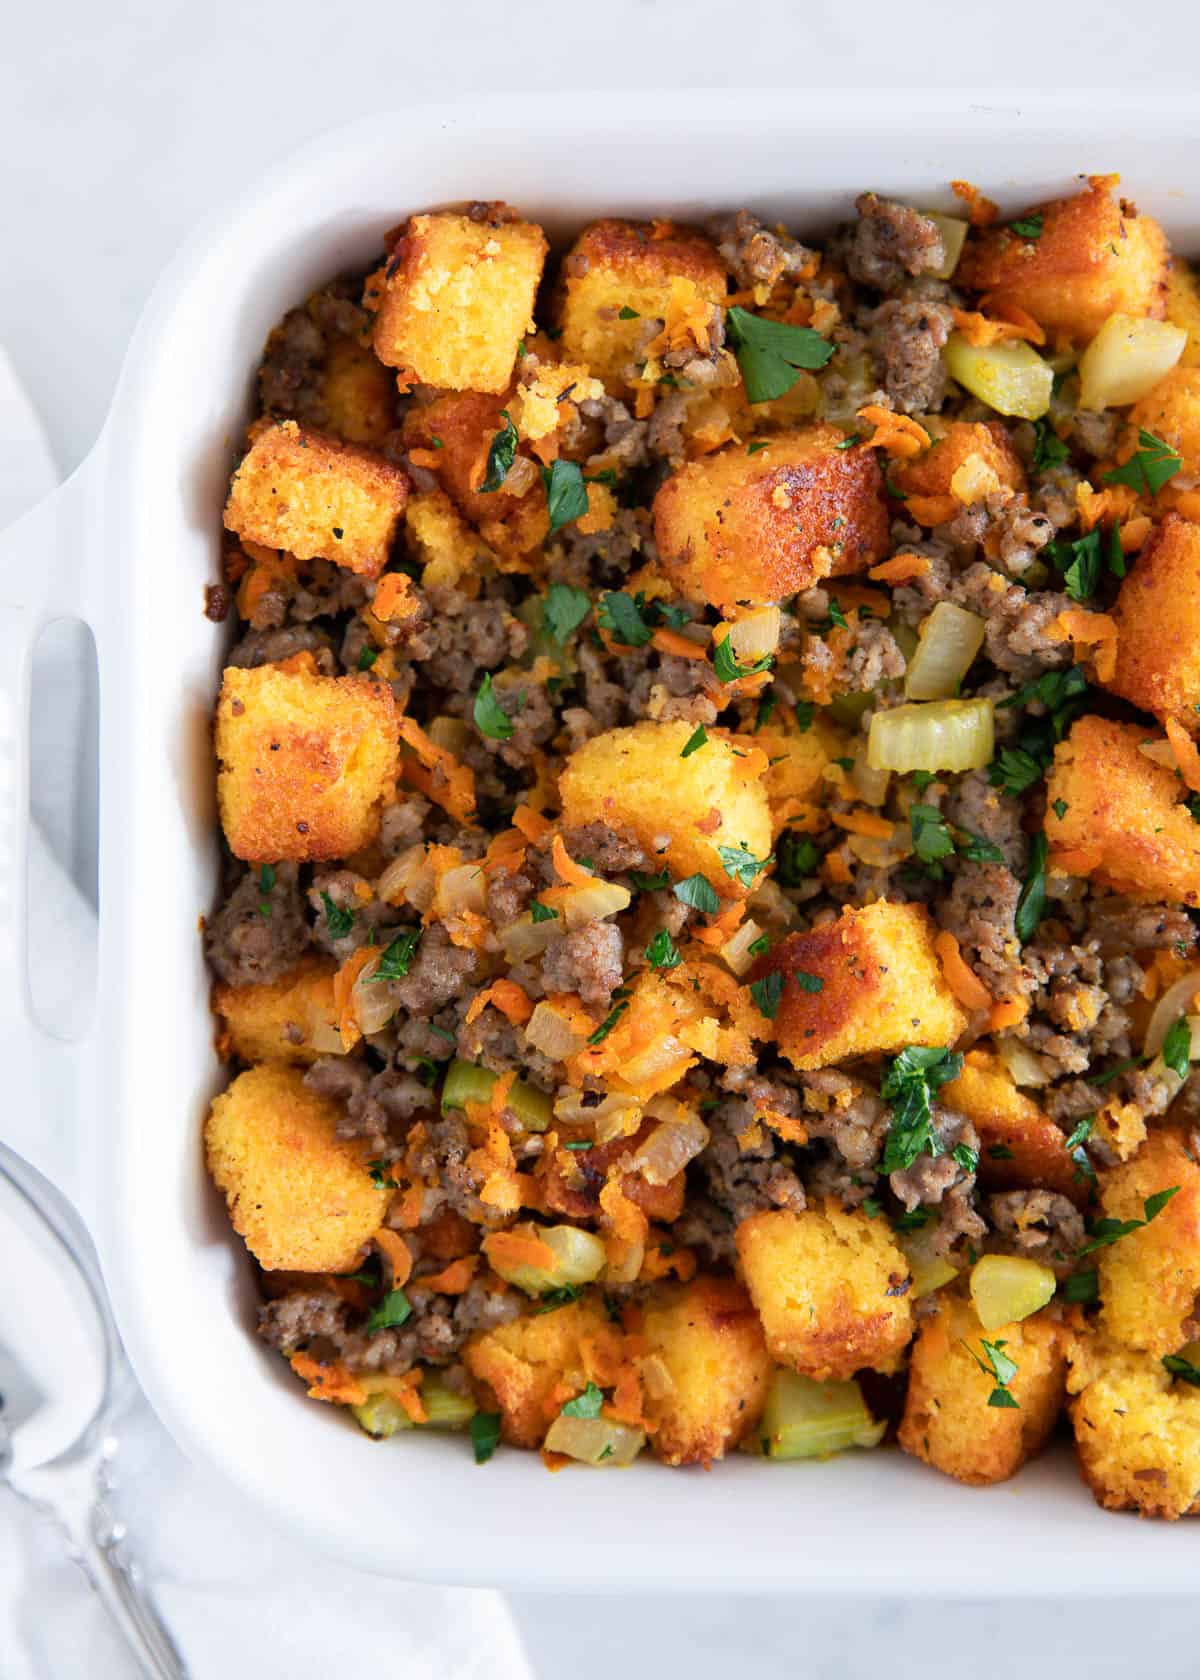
x,y
130,545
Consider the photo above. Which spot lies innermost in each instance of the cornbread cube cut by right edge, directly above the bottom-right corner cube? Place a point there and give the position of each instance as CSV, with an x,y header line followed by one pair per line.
x,y
1150,1279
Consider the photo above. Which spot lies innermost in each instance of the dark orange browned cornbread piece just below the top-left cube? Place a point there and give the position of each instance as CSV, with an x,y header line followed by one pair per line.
x,y
456,431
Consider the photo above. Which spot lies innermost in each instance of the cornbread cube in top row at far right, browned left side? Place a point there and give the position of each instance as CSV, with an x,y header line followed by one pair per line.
x,y
1095,256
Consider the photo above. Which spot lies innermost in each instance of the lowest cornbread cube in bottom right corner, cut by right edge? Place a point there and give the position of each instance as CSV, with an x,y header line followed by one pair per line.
x,y
1137,1431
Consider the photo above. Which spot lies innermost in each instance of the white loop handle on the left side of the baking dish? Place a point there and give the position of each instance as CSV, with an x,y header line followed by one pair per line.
x,y
45,1078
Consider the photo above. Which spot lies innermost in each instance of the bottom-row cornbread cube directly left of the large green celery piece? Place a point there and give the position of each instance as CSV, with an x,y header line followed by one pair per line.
x,y
708,1336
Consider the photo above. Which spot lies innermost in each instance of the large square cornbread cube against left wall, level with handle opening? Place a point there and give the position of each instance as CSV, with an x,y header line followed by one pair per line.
x,y
305,762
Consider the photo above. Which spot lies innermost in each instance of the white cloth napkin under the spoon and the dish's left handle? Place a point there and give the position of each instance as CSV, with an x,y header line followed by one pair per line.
x,y
241,1600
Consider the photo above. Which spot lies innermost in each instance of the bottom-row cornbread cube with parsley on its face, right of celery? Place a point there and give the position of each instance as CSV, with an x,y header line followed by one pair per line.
x,y
947,1415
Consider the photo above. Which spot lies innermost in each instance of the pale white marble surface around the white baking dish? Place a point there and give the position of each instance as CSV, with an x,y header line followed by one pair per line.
x,y
120,125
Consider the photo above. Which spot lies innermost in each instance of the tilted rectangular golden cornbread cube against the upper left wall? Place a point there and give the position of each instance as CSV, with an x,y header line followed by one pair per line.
x,y
318,500
